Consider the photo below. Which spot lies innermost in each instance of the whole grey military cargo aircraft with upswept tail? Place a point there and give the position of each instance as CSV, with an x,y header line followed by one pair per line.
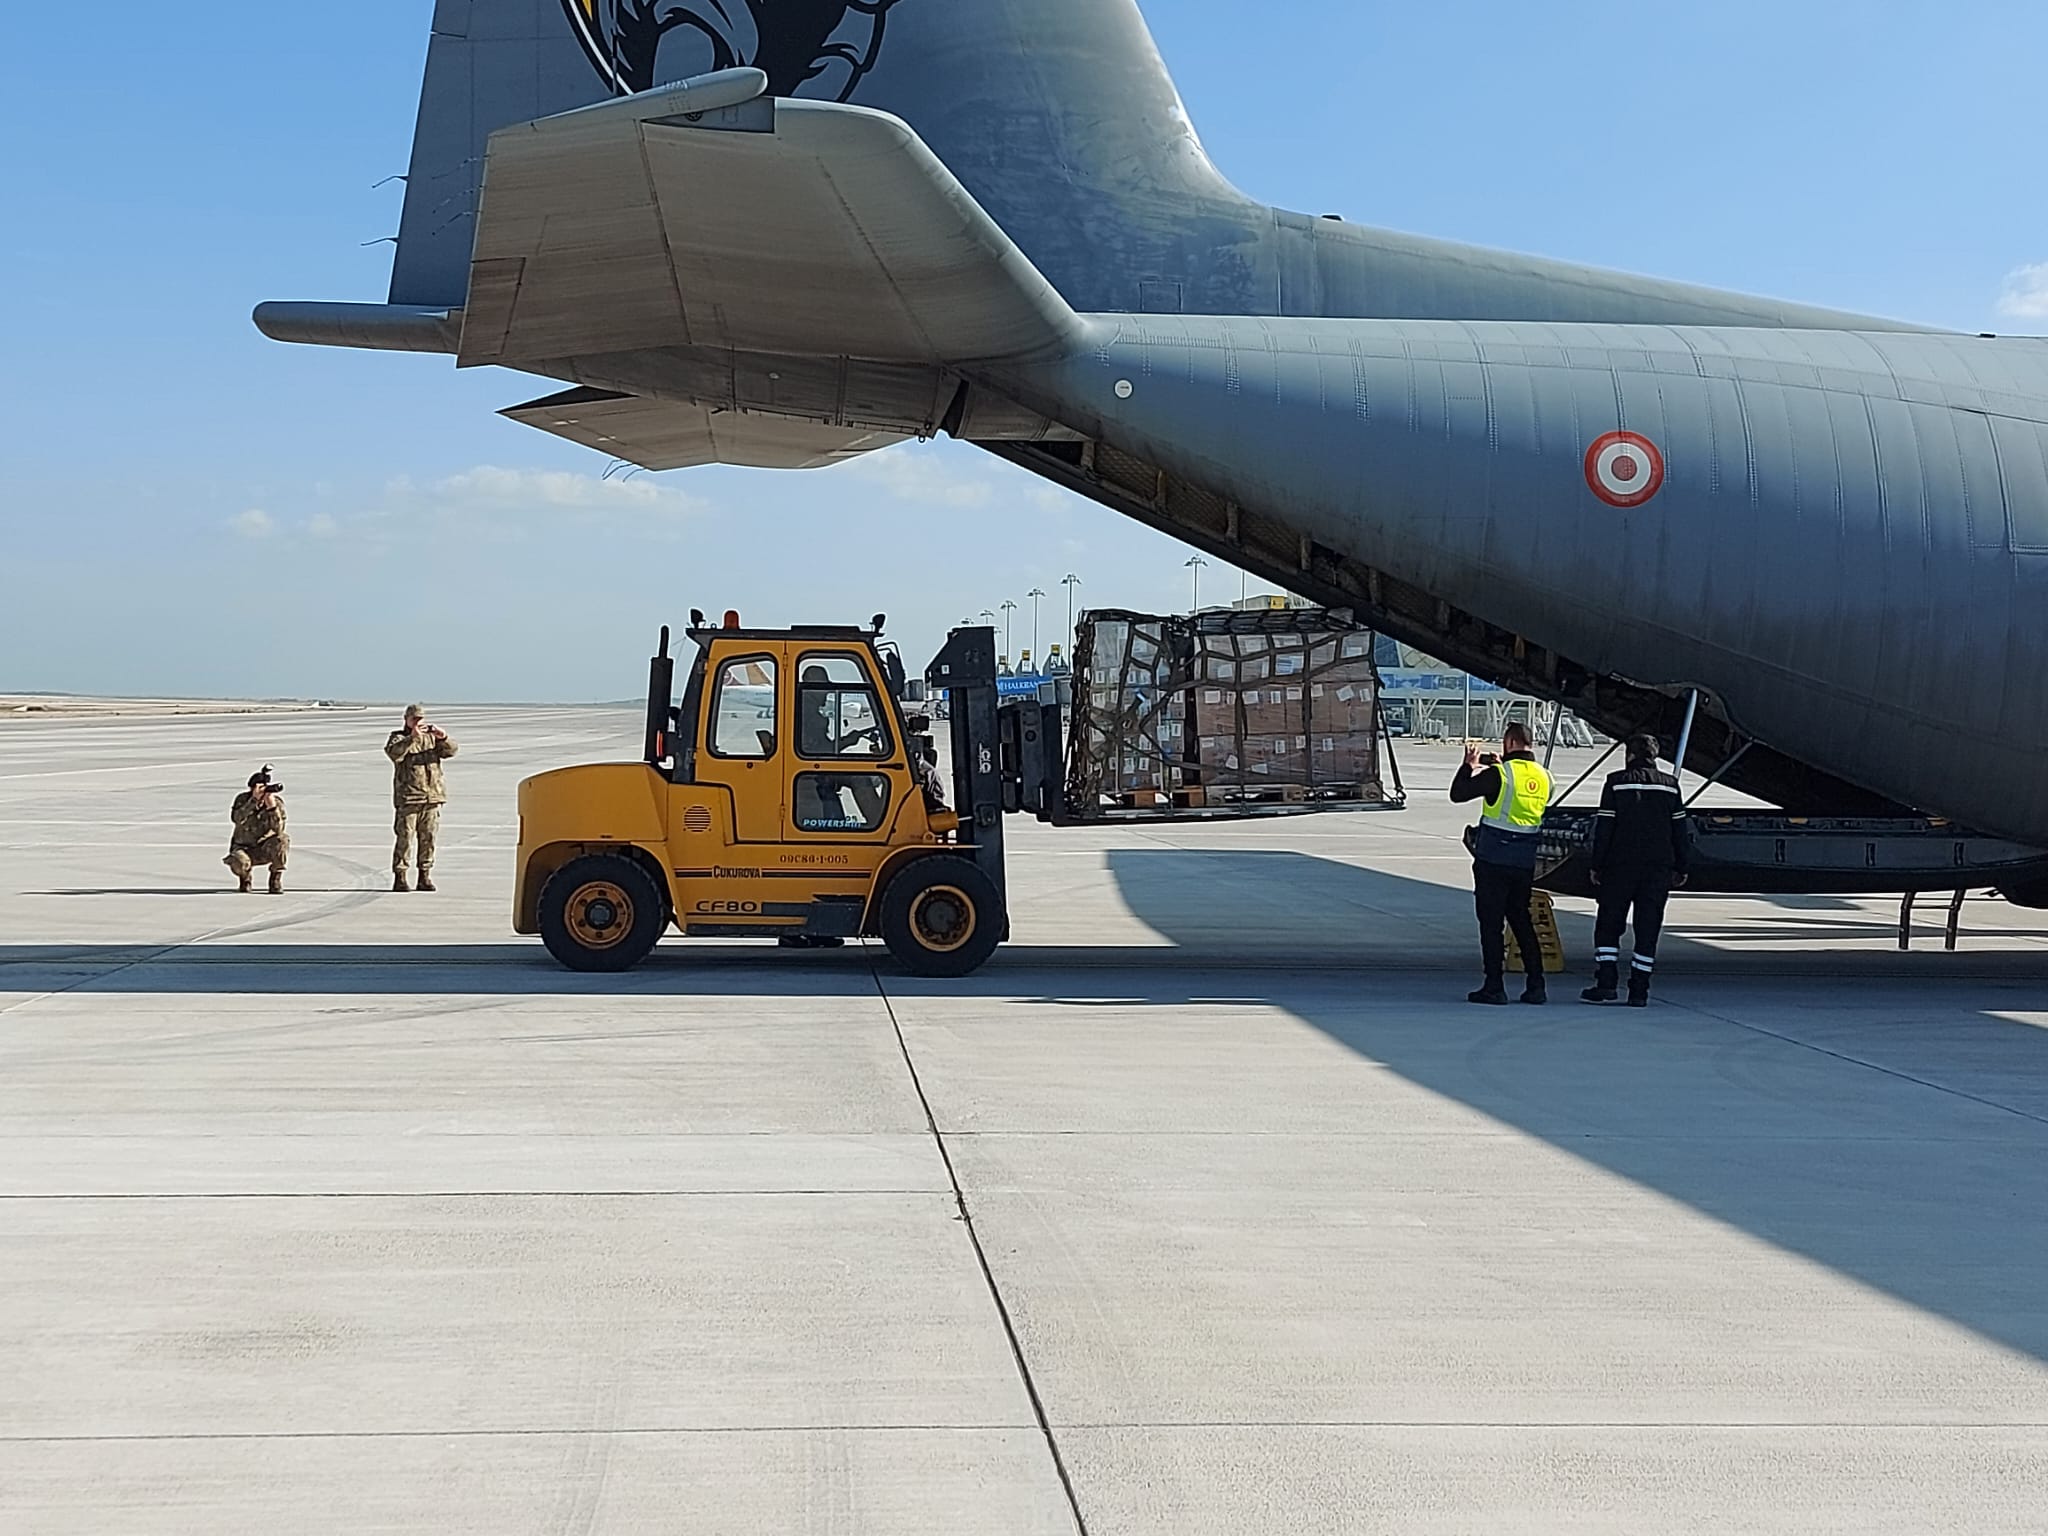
x,y
857,222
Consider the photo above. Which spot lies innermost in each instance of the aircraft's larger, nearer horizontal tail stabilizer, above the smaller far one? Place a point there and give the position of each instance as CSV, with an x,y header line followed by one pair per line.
x,y
773,226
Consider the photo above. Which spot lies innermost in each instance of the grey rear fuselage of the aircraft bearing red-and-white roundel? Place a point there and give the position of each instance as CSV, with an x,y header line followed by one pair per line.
x,y
1842,538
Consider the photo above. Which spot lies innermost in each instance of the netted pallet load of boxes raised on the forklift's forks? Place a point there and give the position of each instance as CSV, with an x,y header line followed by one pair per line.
x,y
1224,710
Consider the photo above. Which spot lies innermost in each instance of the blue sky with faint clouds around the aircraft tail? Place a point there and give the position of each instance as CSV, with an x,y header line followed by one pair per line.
x,y
189,509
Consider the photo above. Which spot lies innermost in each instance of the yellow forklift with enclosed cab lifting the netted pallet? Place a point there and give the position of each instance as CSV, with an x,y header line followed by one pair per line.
x,y
790,796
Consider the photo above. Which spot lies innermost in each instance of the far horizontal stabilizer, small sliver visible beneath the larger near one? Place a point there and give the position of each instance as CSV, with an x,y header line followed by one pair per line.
x,y
671,435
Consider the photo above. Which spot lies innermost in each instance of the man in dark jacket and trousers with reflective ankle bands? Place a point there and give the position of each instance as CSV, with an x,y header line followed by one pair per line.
x,y
1641,843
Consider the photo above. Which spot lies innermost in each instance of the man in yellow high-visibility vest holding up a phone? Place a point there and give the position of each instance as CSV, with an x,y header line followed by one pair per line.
x,y
1504,845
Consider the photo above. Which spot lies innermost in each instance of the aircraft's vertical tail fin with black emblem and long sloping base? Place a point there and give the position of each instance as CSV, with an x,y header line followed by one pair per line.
x,y
1056,116
